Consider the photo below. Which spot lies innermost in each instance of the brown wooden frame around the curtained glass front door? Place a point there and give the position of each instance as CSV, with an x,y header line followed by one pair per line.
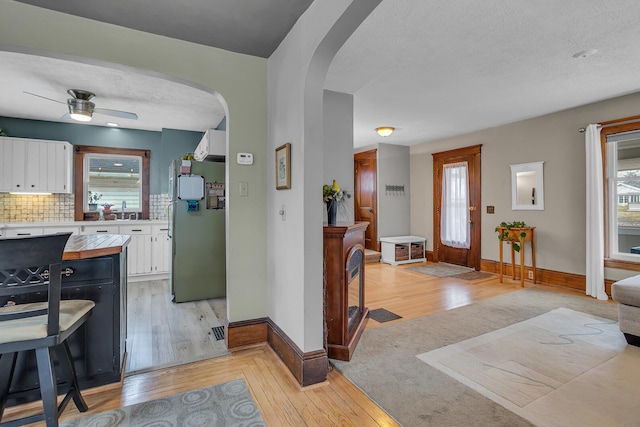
x,y
474,199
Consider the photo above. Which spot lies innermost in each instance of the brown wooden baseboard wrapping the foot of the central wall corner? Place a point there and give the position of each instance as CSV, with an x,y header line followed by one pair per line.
x,y
307,368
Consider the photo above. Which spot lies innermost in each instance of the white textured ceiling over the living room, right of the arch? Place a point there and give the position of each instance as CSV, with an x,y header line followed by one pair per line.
x,y
434,69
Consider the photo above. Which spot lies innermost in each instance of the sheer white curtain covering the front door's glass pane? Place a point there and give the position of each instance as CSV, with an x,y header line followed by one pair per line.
x,y
454,219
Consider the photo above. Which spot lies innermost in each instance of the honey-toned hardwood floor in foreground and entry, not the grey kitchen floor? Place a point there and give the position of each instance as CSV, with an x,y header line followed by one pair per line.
x,y
280,399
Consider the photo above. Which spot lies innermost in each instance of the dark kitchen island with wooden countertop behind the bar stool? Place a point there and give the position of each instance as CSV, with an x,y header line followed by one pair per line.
x,y
94,267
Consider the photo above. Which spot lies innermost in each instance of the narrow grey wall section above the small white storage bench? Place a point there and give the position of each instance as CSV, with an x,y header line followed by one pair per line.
x,y
394,209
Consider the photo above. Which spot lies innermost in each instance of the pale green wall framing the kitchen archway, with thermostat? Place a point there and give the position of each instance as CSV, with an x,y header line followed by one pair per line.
x,y
241,82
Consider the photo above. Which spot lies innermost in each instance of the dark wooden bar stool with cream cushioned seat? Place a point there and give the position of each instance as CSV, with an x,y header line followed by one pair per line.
x,y
29,265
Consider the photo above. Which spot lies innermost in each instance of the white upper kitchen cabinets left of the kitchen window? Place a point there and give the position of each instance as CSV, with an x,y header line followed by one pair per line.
x,y
35,166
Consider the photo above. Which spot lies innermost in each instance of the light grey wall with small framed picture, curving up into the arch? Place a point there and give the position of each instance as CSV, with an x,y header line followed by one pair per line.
x,y
297,73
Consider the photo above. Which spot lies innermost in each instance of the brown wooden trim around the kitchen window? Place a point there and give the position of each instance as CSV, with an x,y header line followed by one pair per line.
x,y
80,151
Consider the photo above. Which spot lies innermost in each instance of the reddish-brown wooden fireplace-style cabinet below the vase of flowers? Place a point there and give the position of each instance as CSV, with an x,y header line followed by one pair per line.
x,y
344,312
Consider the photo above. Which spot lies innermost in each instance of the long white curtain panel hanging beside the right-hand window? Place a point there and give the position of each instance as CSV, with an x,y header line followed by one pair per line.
x,y
595,215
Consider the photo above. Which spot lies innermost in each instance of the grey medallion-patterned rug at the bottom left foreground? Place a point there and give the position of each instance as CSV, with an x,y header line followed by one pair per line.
x,y
227,404
